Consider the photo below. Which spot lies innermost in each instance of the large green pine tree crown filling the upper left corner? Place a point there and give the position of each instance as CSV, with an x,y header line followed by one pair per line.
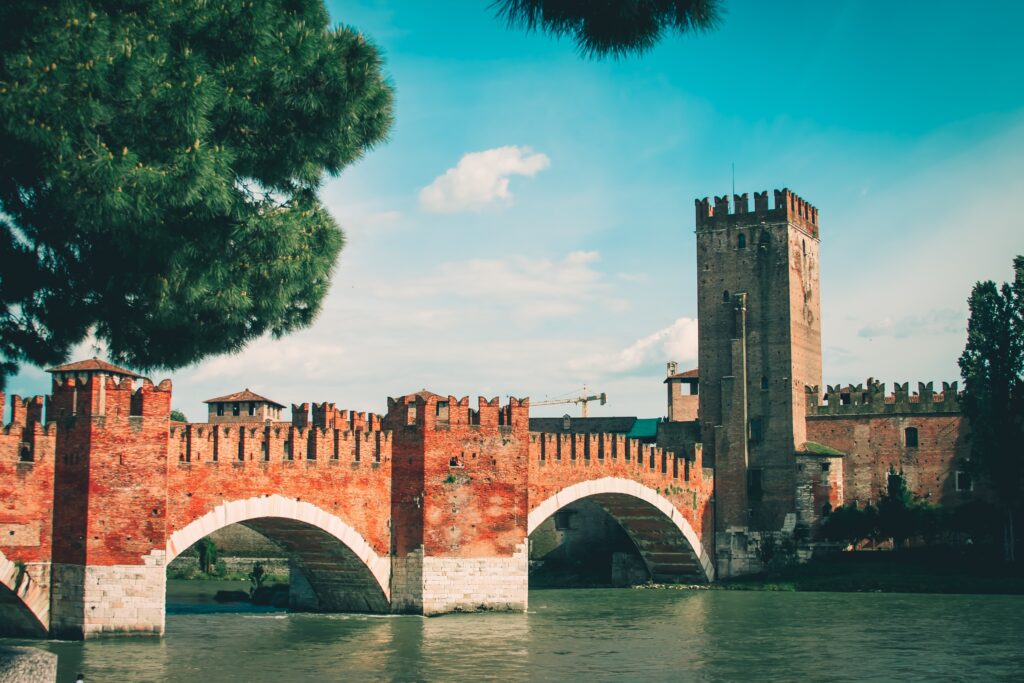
x,y
159,168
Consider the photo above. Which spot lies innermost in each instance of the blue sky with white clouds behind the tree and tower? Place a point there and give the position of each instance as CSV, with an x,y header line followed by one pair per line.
x,y
529,228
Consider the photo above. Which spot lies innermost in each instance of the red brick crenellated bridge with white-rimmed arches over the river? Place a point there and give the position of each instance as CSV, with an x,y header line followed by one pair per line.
x,y
425,510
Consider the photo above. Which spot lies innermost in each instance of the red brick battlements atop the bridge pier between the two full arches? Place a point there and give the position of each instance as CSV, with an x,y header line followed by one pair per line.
x,y
433,411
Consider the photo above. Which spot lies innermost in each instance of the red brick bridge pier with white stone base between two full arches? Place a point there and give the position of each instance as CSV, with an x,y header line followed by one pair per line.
x,y
460,503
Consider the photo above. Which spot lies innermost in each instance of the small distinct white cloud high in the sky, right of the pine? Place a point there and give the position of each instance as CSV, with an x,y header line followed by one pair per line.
x,y
481,179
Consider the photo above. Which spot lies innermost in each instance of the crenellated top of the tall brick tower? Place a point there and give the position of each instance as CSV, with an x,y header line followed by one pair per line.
x,y
789,207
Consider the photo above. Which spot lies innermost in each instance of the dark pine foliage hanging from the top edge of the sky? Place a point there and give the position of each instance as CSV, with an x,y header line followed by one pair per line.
x,y
616,28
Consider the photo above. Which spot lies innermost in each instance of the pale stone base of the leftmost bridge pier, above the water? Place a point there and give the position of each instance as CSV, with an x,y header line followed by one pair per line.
x,y
91,602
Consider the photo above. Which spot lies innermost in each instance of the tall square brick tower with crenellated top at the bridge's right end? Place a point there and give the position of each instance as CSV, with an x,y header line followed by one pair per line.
x,y
760,344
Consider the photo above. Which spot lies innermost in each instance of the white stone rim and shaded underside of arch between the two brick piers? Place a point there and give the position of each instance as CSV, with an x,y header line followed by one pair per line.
x,y
344,572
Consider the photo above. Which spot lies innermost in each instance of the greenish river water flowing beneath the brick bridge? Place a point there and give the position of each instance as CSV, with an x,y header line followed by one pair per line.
x,y
579,635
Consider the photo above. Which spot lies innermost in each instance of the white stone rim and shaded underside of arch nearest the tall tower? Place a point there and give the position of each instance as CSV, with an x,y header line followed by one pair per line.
x,y
670,547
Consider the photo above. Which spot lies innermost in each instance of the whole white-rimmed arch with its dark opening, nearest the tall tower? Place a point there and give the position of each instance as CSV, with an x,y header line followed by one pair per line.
x,y
632,533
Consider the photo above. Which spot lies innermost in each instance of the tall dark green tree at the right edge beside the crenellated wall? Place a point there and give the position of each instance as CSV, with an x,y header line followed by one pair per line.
x,y
993,367
